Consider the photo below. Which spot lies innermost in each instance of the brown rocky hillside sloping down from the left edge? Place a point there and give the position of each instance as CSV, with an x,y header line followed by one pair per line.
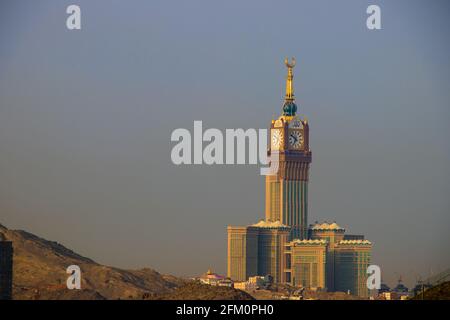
x,y
40,273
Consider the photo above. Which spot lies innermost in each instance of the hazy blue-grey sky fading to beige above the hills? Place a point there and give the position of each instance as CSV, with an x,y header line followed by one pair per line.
x,y
86,118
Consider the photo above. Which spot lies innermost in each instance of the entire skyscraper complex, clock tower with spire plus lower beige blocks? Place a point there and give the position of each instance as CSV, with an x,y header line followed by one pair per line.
x,y
282,246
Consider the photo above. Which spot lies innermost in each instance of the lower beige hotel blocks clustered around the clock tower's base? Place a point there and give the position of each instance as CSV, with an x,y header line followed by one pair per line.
x,y
327,261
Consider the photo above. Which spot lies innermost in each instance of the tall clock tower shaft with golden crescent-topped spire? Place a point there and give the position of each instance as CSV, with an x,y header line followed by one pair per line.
x,y
287,190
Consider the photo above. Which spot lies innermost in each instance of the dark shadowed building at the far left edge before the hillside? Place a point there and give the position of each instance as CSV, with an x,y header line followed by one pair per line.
x,y
6,268
